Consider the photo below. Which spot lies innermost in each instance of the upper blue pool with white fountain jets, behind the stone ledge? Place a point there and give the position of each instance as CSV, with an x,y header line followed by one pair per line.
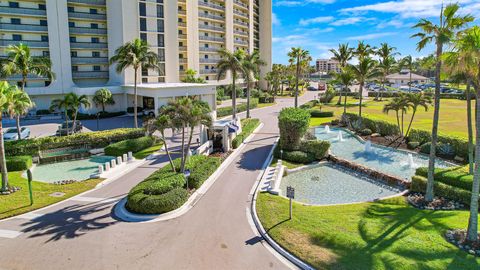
x,y
383,159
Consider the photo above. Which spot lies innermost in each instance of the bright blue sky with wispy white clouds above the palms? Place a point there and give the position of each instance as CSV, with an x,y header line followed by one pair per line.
x,y
318,25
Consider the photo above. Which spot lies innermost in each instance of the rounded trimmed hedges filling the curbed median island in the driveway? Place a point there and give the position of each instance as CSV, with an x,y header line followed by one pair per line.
x,y
164,191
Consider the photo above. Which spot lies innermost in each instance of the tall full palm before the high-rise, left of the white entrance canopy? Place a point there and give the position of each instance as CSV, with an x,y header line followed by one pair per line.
x,y
137,55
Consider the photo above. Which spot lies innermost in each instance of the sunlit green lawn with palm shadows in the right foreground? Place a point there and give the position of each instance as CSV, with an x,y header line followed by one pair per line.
x,y
383,235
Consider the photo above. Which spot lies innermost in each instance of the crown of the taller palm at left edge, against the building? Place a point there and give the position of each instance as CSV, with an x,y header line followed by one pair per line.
x,y
20,61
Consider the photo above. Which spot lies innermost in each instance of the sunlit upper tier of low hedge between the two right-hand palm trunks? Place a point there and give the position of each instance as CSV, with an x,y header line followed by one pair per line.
x,y
456,176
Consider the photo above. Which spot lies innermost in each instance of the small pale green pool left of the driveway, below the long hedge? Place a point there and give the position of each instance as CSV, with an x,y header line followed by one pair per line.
x,y
78,170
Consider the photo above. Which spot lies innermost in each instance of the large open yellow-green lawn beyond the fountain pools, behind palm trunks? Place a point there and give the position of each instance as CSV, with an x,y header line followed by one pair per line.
x,y
453,115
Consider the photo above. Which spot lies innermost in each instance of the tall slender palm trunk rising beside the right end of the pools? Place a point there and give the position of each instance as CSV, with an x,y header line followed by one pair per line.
x,y
436,114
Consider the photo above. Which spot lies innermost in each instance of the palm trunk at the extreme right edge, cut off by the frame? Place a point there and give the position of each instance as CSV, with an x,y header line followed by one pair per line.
x,y
472,230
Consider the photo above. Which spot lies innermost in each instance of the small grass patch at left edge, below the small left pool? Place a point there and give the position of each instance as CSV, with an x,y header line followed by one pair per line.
x,y
19,202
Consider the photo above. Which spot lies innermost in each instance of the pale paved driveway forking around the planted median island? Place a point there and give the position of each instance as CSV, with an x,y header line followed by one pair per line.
x,y
215,234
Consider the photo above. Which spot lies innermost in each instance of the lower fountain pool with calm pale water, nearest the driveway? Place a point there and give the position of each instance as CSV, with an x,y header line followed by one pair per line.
x,y
332,184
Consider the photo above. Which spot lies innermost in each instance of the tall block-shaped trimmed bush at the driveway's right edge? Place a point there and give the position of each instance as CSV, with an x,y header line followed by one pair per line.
x,y
293,123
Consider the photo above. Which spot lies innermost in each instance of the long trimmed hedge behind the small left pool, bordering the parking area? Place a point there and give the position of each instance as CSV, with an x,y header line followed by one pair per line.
x,y
100,139
